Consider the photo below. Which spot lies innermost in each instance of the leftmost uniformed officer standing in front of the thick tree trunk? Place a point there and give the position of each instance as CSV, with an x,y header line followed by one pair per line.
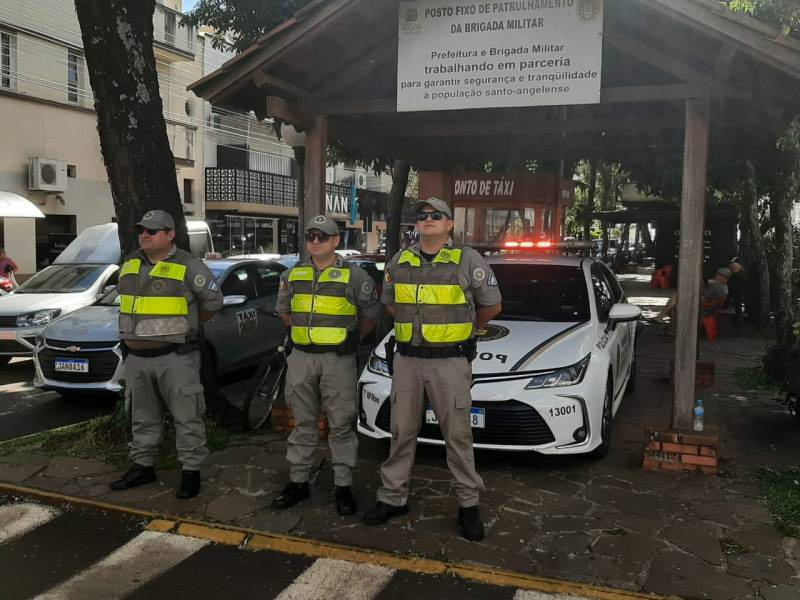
x,y
165,295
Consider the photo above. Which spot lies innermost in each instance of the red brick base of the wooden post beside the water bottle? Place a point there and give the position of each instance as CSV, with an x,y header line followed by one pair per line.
x,y
670,450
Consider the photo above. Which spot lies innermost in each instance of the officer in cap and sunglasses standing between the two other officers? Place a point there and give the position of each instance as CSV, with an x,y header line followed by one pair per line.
x,y
328,305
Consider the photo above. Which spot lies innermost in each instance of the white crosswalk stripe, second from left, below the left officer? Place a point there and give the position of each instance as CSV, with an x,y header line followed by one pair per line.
x,y
145,557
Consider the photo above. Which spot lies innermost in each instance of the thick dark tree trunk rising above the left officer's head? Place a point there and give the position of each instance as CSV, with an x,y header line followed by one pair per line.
x,y
118,45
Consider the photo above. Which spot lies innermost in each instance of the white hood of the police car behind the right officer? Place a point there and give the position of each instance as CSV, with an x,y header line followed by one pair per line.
x,y
528,346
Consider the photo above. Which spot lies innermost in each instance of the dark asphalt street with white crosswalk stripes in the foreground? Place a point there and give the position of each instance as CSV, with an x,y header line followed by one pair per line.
x,y
60,551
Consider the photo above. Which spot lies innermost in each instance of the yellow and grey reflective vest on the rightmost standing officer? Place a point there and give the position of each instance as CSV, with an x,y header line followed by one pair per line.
x,y
433,305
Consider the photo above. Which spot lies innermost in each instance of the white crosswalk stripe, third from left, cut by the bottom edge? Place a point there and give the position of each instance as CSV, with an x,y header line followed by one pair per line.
x,y
328,578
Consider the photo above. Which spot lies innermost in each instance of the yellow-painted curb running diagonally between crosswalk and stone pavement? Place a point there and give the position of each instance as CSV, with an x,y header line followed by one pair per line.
x,y
251,539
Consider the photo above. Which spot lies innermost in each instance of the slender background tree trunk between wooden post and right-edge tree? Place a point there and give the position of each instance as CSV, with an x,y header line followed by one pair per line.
x,y
755,260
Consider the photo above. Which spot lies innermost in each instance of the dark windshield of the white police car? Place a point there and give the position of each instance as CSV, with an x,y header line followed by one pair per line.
x,y
532,292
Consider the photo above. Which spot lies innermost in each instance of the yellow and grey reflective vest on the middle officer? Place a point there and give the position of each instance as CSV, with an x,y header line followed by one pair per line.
x,y
321,313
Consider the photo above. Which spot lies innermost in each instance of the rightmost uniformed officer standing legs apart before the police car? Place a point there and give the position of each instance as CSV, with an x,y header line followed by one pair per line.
x,y
439,297
